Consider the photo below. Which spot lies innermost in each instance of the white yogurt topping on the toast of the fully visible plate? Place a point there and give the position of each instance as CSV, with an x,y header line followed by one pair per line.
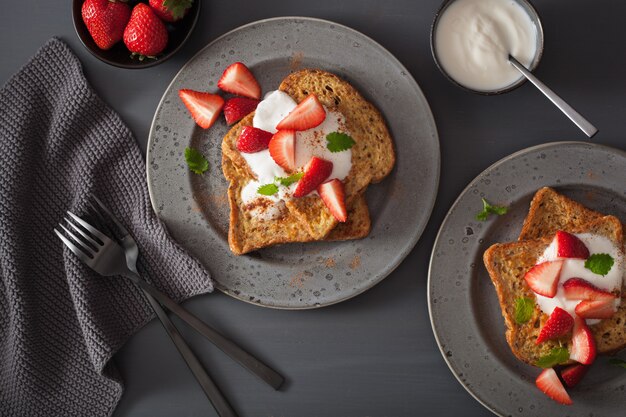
x,y
271,110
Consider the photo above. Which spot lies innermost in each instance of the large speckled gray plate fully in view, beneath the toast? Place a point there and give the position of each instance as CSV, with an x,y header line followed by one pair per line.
x,y
195,208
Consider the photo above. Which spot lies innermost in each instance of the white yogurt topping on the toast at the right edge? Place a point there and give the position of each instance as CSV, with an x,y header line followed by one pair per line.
x,y
575,268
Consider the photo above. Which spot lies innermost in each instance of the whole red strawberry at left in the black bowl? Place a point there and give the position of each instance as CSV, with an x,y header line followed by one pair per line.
x,y
105,21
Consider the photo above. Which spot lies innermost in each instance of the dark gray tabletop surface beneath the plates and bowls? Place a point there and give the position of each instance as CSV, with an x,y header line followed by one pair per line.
x,y
374,355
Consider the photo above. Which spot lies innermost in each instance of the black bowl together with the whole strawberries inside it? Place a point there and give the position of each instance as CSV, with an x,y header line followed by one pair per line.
x,y
134,33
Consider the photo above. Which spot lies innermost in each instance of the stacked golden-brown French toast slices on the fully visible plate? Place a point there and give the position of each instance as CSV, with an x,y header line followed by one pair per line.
x,y
307,219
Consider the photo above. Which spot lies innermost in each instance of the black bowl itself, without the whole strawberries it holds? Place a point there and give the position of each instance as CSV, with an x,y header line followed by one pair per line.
x,y
119,56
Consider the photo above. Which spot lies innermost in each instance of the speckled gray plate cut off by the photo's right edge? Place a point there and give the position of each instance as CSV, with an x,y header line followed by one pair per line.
x,y
463,305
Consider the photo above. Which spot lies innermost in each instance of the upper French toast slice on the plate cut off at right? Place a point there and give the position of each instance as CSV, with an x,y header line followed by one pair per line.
x,y
507,263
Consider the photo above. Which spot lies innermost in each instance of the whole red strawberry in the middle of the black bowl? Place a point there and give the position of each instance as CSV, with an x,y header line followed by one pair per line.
x,y
145,35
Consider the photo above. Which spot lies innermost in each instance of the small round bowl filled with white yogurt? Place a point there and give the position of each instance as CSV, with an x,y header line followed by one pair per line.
x,y
474,38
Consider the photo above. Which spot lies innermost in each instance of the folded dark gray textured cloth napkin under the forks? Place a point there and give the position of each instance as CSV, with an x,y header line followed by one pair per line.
x,y
60,323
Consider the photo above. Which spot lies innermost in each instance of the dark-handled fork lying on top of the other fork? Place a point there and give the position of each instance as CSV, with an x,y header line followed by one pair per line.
x,y
109,259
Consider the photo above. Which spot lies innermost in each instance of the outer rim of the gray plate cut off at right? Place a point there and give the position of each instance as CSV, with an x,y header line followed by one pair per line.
x,y
477,396
